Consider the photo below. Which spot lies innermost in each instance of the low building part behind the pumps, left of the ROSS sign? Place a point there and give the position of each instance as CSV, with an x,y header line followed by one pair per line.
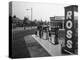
x,y
57,21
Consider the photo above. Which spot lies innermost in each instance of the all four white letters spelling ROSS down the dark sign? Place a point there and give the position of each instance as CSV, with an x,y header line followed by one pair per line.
x,y
69,26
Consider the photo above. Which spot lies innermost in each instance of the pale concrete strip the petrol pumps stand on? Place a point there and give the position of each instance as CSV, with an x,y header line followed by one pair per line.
x,y
53,50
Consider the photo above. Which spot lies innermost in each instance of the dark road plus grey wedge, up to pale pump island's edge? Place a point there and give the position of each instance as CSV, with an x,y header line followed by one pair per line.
x,y
21,49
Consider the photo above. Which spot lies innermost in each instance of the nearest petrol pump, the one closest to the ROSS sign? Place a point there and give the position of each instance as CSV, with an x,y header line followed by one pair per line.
x,y
53,35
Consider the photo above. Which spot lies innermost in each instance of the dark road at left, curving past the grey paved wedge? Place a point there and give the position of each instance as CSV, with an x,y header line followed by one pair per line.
x,y
19,49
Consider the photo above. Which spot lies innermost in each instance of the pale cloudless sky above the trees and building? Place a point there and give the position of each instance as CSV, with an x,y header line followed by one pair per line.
x,y
40,11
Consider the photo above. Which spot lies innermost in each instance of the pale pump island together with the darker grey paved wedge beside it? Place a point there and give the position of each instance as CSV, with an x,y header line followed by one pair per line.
x,y
40,47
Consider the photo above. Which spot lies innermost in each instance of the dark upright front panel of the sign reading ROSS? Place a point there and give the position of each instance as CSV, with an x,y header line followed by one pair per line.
x,y
69,30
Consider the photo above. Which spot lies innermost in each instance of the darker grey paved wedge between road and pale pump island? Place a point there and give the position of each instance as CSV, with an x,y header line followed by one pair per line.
x,y
34,48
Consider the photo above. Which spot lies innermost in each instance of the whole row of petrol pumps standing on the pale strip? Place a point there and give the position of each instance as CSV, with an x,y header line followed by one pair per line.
x,y
46,33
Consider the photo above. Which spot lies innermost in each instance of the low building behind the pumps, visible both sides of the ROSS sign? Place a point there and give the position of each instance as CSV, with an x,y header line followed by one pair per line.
x,y
59,21
